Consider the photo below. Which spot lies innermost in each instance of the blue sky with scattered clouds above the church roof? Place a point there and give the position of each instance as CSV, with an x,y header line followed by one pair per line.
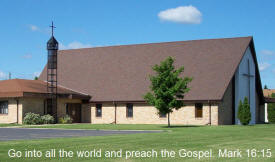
x,y
87,23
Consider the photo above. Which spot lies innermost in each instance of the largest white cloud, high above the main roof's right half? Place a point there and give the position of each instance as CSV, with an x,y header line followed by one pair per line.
x,y
182,14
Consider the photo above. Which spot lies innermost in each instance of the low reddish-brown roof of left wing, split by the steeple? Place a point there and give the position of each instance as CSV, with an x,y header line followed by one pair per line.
x,y
33,88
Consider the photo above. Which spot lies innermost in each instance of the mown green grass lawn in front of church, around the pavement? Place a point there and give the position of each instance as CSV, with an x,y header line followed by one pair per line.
x,y
180,137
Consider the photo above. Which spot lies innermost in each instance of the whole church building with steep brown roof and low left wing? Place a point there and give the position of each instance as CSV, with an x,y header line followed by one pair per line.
x,y
104,85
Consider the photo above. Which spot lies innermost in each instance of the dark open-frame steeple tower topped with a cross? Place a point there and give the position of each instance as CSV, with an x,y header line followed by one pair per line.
x,y
52,47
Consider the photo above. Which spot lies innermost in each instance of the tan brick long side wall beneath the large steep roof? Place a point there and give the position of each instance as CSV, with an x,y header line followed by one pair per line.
x,y
145,114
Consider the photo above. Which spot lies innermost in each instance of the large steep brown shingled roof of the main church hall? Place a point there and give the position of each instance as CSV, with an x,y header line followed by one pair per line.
x,y
121,73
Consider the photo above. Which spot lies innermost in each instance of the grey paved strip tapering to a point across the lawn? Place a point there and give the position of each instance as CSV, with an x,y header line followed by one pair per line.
x,y
7,134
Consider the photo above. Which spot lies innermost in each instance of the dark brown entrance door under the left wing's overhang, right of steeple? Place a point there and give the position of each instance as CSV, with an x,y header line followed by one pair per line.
x,y
74,111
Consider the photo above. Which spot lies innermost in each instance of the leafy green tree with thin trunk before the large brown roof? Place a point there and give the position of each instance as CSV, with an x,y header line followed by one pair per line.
x,y
167,88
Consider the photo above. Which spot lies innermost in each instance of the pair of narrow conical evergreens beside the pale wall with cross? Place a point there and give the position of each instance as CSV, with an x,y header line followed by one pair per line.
x,y
244,114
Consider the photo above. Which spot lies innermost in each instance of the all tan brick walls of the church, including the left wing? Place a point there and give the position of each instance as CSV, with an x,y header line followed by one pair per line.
x,y
214,114
